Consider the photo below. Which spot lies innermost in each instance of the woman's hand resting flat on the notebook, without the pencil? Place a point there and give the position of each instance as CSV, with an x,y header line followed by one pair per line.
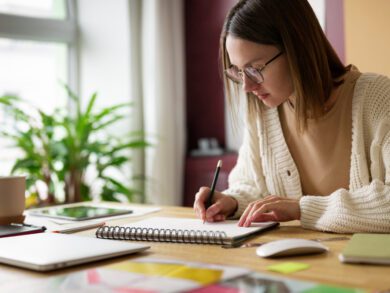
x,y
271,208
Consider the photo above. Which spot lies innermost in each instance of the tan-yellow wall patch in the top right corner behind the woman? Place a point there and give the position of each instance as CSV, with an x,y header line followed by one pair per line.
x,y
367,38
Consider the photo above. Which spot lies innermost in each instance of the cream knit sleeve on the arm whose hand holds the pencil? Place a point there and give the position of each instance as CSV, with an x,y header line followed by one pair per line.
x,y
246,180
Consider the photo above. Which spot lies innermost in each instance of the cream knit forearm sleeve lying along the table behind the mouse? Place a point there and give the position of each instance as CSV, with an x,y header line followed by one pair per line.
x,y
364,210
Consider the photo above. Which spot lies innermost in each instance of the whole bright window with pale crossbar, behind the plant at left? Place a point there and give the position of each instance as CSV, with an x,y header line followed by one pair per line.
x,y
37,53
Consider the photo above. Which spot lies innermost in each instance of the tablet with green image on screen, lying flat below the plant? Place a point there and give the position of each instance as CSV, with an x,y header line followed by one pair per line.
x,y
79,213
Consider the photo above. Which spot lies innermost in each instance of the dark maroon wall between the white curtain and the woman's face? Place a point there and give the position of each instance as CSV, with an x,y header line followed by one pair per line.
x,y
204,87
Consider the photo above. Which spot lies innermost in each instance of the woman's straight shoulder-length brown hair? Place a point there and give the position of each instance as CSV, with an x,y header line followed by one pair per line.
x,y
292,27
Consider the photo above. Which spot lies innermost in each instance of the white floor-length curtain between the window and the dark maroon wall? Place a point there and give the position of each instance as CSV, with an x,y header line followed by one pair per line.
x,y
157,88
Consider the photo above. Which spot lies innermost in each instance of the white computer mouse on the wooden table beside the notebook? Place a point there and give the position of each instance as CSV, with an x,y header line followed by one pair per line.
x,y
291,246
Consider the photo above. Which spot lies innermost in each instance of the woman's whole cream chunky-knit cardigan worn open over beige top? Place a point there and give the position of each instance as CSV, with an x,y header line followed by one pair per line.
x,y
266,167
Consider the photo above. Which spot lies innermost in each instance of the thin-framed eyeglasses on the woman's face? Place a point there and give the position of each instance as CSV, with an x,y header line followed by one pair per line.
x,y
254,74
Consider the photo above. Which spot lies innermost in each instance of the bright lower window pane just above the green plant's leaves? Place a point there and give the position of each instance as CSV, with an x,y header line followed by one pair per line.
x,y
32,70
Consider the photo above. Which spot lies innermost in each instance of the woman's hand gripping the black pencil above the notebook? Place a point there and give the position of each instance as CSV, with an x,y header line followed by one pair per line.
x,y
222,206
